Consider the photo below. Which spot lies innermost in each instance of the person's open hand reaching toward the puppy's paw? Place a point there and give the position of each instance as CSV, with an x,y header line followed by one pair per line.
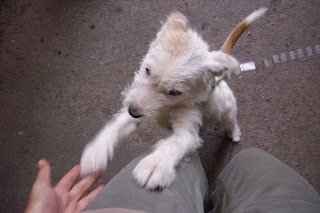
x,y
65,196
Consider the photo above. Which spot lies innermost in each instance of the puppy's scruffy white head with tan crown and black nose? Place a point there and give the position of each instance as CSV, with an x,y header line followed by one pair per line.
x,y
176,71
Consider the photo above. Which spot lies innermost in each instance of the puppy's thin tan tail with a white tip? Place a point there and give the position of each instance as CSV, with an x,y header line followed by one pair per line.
x,y
240,28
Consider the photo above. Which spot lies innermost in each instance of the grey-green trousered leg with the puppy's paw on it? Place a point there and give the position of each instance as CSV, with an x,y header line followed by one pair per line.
x,y
186,193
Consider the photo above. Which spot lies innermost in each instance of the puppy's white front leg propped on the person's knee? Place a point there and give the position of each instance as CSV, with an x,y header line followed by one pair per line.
x,y
158,168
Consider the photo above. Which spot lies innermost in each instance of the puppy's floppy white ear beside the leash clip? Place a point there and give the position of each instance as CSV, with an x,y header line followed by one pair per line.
x,y
219,63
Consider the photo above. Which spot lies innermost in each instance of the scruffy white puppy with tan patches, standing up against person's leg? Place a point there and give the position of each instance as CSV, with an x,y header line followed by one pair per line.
x,y
173,87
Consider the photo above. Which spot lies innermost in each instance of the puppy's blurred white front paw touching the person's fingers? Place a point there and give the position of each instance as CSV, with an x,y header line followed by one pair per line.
x,y
94,159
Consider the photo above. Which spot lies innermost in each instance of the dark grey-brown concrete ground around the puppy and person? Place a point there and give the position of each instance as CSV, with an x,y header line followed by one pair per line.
x,y
63,65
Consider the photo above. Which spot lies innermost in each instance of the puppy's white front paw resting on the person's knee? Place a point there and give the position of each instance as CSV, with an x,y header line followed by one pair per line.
x,y
154,172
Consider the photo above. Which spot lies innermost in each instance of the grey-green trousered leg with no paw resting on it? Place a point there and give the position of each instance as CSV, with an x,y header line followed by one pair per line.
x,y
255,181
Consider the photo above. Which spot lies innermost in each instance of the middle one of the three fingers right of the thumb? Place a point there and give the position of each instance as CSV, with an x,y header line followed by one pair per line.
x,y
80,188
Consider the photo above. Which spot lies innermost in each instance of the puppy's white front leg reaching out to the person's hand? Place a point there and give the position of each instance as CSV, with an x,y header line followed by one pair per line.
x,y
96,154
